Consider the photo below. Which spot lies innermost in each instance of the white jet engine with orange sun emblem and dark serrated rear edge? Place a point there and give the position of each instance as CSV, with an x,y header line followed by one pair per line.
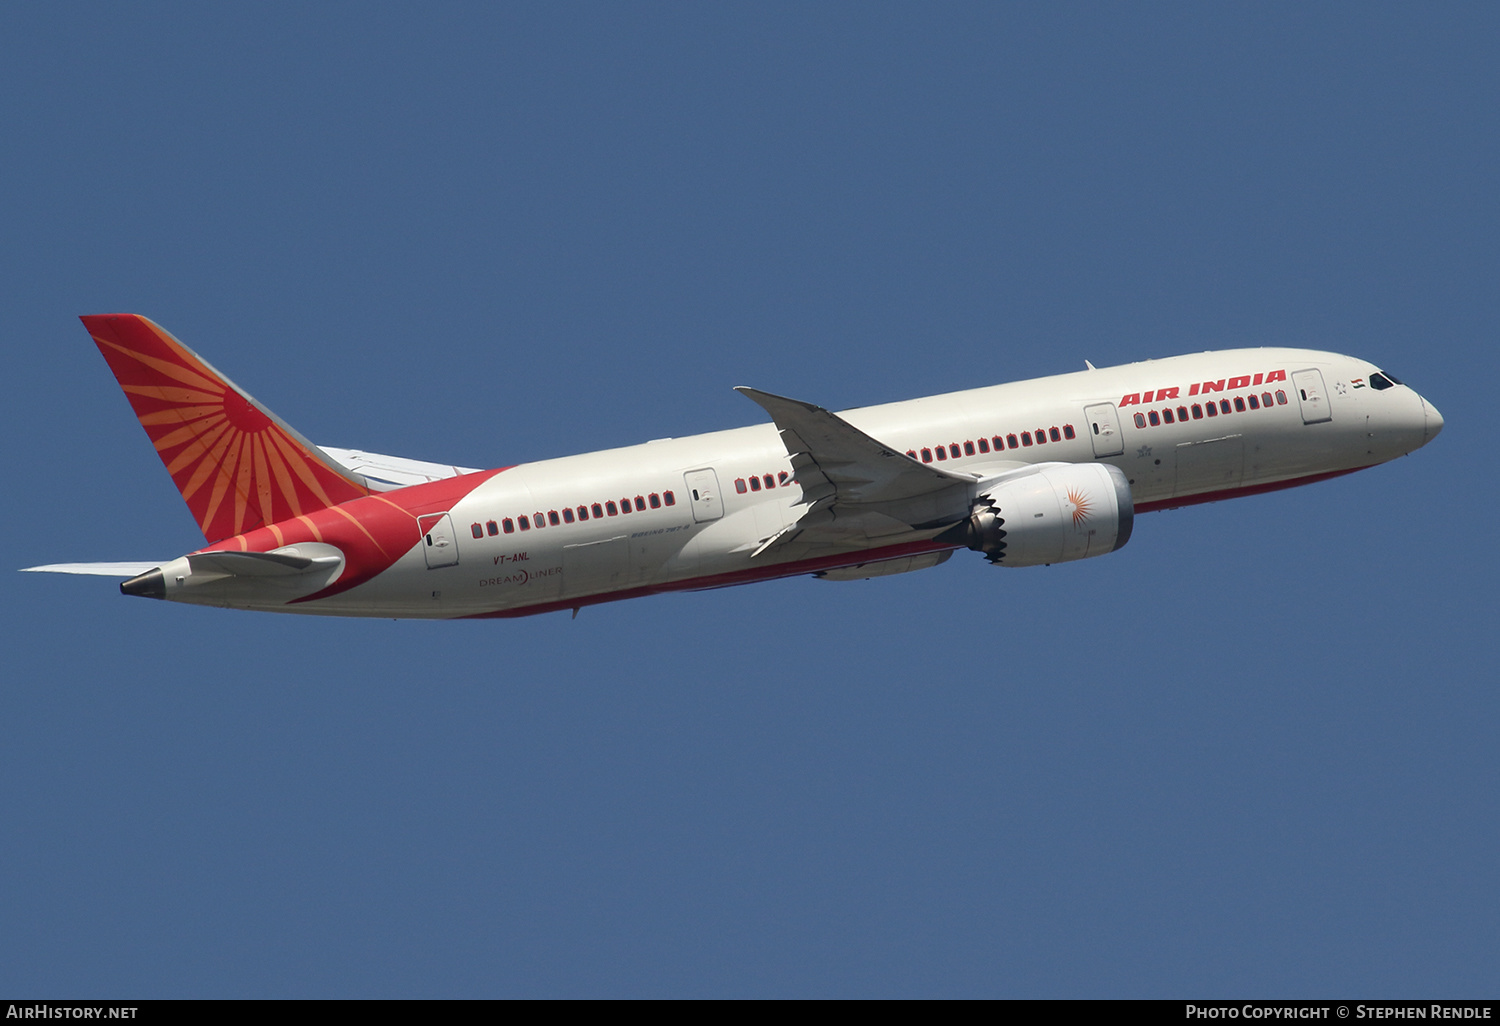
x,y
1058,514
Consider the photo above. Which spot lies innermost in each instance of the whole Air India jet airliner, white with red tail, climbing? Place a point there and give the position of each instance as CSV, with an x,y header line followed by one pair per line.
x,y
1027,475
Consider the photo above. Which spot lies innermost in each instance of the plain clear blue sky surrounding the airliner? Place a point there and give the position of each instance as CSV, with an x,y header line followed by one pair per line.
x,y
1250,755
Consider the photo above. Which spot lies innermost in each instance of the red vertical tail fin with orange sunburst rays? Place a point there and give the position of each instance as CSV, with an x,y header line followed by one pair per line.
x,y
236,464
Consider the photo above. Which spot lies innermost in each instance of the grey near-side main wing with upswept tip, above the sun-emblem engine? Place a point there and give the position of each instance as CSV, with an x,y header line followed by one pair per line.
x,y
857,490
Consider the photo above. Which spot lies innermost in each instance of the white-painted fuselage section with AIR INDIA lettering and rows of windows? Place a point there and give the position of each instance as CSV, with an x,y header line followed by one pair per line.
x,y
1316,425
